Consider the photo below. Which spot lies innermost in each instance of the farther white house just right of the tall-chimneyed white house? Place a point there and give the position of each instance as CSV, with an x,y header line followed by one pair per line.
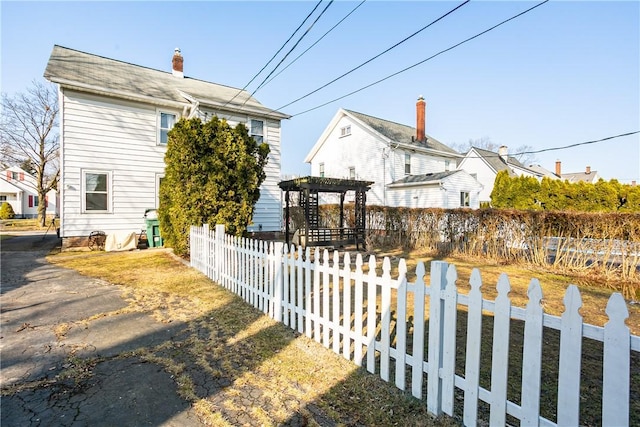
x,y
484,165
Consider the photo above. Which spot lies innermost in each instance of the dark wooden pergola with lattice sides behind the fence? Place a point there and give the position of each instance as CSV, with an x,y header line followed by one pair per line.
x,y
308,189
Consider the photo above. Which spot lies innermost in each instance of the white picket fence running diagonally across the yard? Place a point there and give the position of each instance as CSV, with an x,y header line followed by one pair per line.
x,y
327,299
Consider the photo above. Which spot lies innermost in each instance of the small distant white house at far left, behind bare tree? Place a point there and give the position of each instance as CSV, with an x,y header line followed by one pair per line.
x,y
19,189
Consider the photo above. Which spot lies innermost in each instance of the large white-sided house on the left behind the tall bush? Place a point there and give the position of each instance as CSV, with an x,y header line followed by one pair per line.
x,y
114,119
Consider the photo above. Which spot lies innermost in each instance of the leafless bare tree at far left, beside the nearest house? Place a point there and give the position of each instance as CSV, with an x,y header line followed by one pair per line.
x,y
29,136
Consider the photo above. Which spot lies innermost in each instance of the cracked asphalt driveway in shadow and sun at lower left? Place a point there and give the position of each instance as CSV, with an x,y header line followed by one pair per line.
x,y
46,341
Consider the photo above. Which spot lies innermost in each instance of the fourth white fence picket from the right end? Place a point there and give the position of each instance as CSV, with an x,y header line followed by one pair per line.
x,y
500,353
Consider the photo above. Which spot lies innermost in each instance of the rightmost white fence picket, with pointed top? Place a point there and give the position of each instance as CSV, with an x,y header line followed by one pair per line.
x,y
616,361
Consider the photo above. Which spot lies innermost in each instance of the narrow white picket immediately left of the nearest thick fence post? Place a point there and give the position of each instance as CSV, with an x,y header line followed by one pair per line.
x,y
417,352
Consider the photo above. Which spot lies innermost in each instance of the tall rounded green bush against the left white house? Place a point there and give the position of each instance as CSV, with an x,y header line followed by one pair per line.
x,y
213,176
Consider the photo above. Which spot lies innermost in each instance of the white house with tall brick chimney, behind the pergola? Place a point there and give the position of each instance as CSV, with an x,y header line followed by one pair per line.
x,y
408,167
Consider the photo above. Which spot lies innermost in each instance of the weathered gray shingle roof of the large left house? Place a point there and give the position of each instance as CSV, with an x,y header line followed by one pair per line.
x,y
94,73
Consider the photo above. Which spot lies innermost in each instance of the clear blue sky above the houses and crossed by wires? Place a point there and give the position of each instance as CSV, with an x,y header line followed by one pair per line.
x,y
565,73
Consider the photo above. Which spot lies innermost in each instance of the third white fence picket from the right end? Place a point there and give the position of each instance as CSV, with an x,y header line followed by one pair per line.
x,y
532,356
